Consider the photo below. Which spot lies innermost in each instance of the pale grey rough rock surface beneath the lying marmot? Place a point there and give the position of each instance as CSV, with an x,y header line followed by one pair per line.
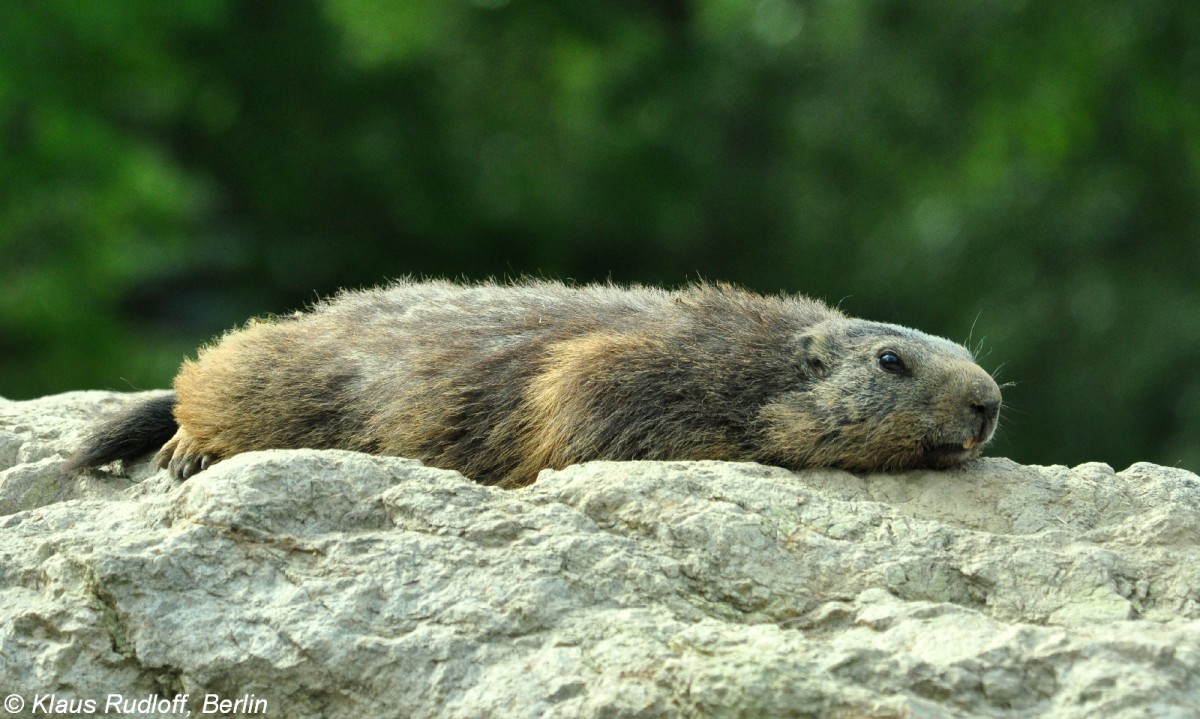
x,y
333,584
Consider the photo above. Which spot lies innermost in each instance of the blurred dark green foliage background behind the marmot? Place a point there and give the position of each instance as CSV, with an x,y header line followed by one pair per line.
x,y
1021,175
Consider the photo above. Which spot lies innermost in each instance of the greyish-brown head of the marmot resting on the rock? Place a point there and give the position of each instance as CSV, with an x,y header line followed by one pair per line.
x,y
880,397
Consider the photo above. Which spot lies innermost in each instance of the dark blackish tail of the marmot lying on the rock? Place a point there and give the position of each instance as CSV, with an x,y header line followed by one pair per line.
x,y
141,429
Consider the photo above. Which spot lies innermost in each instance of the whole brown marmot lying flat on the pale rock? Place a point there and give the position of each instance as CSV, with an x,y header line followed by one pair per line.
x,y
502,381
